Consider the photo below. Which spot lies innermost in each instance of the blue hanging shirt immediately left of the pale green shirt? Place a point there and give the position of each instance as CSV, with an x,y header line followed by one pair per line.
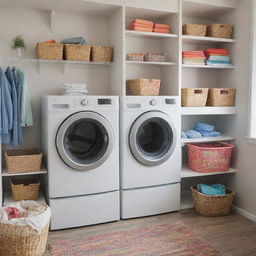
x,y
19,97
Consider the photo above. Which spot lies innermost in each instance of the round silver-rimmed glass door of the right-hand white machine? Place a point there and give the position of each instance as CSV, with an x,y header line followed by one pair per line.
x,y
152,138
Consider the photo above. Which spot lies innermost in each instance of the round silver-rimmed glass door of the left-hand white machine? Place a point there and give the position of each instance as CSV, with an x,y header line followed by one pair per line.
x,y
84,140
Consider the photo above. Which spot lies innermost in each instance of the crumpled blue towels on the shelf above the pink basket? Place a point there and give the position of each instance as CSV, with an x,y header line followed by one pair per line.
x,y
200,130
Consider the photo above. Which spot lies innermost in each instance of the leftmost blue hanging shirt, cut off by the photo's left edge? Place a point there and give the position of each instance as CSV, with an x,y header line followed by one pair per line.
x,y
6,108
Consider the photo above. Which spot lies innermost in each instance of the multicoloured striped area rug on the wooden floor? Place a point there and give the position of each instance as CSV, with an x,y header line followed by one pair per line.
x,y
172,239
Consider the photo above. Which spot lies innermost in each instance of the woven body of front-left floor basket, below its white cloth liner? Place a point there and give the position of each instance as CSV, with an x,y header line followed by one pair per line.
x,y
22,240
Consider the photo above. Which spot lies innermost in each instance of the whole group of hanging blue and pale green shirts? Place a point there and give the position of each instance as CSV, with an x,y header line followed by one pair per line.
x,y
15,105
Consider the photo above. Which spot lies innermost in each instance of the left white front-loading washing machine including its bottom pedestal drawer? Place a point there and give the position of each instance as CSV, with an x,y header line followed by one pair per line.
x,y
81,148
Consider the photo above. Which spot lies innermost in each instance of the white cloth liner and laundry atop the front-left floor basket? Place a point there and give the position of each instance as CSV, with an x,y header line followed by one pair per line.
x,y
22,213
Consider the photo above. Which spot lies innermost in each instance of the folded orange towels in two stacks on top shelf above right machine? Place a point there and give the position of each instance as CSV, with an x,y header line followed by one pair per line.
x,y
148,26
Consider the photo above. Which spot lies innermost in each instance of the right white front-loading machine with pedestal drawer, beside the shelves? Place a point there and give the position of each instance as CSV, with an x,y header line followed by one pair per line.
x,y
150,155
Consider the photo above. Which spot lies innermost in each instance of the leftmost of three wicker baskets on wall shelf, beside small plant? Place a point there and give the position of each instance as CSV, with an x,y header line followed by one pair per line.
x,y
50,51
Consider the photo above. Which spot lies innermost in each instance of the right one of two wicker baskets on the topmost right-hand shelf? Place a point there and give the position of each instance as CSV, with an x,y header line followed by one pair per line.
x,y
220,30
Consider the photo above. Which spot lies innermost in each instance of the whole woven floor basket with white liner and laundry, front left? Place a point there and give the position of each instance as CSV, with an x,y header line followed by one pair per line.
x,y
24,228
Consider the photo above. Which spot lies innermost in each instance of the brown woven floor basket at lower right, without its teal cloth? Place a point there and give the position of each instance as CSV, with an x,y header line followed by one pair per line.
x,y
213,205
